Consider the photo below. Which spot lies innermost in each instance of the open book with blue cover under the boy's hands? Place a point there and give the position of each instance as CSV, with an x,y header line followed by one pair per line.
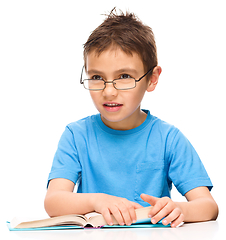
x,y
93,220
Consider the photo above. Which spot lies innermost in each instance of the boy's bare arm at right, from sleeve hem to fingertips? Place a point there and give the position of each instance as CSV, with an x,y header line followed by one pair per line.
x,y
200,207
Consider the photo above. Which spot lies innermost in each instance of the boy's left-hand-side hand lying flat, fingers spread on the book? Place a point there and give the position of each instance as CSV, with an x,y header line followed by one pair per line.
x,y
122,209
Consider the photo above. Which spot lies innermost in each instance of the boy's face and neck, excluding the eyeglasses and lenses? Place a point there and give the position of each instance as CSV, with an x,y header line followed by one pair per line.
x,y
119,109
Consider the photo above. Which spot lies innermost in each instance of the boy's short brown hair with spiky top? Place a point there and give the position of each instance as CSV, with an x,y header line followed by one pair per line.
x,y
126,31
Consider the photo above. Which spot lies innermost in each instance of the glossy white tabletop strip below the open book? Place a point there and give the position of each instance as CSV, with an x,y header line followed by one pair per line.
x,y
199,231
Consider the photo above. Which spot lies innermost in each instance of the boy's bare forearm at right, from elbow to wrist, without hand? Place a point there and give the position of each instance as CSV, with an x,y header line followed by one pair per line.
x,y
201,209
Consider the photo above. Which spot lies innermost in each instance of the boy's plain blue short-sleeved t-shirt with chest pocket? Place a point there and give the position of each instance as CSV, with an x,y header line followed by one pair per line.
x,y
146,159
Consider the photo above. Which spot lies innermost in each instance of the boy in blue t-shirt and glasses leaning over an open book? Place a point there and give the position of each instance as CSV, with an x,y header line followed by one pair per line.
x,y
124,151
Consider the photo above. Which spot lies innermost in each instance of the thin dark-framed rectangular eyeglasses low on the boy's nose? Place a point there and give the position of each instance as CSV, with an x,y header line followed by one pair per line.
x,y
119,84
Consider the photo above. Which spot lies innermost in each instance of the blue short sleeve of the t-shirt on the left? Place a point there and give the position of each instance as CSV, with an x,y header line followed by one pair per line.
x,y
66,162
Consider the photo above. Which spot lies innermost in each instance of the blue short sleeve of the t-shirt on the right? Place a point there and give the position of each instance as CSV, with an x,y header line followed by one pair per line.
x,y
186,170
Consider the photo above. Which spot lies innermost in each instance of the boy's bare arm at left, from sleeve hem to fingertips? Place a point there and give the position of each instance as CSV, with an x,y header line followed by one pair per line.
x,y
60,200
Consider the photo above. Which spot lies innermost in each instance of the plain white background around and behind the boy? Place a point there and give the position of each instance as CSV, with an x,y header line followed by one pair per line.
x,y
41,44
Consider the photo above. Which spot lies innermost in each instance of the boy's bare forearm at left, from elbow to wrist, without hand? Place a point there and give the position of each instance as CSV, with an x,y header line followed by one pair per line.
x,y
63,202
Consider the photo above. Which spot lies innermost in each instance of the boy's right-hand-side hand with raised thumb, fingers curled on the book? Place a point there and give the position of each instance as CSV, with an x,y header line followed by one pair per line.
x,y
164,207
